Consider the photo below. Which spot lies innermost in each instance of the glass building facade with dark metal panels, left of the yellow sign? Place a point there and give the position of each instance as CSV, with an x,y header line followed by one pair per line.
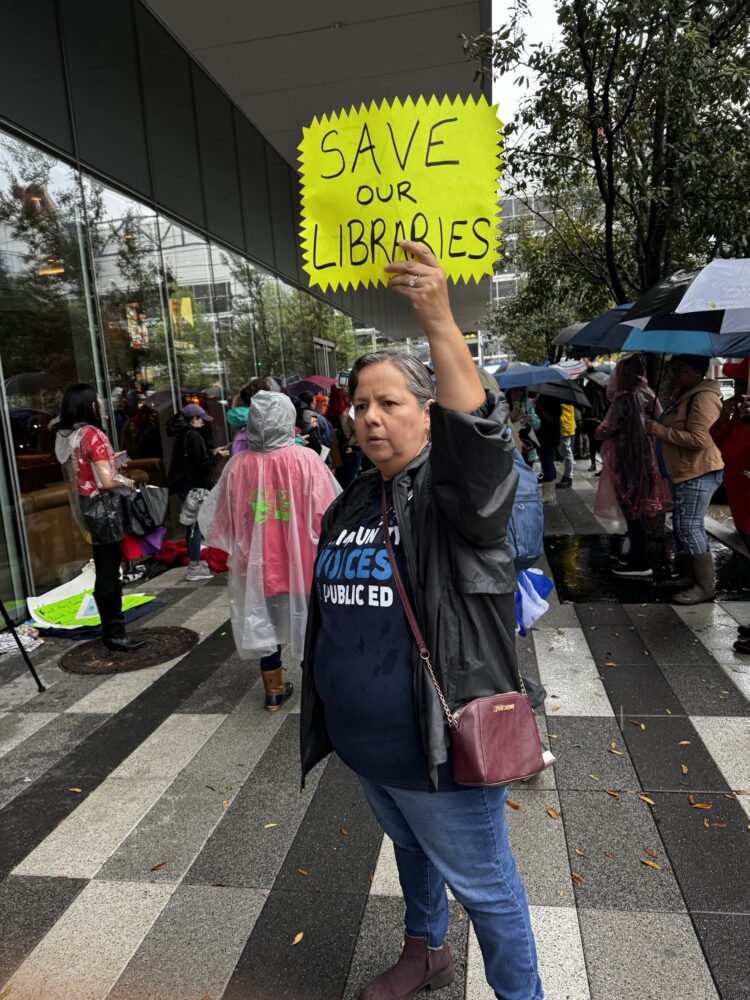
x,y
148,246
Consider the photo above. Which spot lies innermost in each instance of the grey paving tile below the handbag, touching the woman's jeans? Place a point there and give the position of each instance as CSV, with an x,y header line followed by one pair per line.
x,y
538,844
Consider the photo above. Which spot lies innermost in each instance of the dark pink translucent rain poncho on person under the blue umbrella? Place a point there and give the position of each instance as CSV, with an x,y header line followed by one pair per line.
x,y
631,484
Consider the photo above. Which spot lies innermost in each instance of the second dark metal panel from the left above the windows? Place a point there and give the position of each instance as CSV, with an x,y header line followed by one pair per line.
x,y
102,61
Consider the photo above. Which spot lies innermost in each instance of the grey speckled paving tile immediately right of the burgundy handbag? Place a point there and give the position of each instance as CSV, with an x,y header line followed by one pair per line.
x,y
583,749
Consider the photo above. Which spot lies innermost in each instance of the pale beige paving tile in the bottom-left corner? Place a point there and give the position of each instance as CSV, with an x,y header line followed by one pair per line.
x,y
84,953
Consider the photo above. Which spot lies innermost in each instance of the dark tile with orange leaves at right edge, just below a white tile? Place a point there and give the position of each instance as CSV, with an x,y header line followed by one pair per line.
x,y
707,849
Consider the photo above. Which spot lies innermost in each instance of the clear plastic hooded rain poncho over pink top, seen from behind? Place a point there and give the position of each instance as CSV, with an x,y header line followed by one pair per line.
x,y
265,512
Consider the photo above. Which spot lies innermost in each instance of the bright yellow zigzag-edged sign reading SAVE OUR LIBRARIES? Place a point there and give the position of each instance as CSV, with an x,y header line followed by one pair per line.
x,y
423,170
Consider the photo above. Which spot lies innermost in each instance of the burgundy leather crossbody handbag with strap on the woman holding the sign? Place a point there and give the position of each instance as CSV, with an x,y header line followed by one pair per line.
x,y
494,740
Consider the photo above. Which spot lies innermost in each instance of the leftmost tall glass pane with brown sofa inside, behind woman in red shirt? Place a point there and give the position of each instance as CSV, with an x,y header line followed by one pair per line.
x,y
45,340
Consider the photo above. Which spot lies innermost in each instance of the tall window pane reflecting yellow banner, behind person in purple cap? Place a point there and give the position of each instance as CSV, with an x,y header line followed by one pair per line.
x,y
194,320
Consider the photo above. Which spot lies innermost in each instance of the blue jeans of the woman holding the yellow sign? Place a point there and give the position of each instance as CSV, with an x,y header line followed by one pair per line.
x,y
460,838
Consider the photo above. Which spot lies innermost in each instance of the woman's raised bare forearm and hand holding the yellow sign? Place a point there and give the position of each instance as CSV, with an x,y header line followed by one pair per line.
x,y
422,281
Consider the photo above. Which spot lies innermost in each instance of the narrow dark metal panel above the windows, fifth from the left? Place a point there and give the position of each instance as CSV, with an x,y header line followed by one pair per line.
x,y
254,190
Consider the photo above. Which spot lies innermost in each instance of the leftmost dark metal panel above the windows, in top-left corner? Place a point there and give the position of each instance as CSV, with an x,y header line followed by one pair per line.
x,y
33,93
